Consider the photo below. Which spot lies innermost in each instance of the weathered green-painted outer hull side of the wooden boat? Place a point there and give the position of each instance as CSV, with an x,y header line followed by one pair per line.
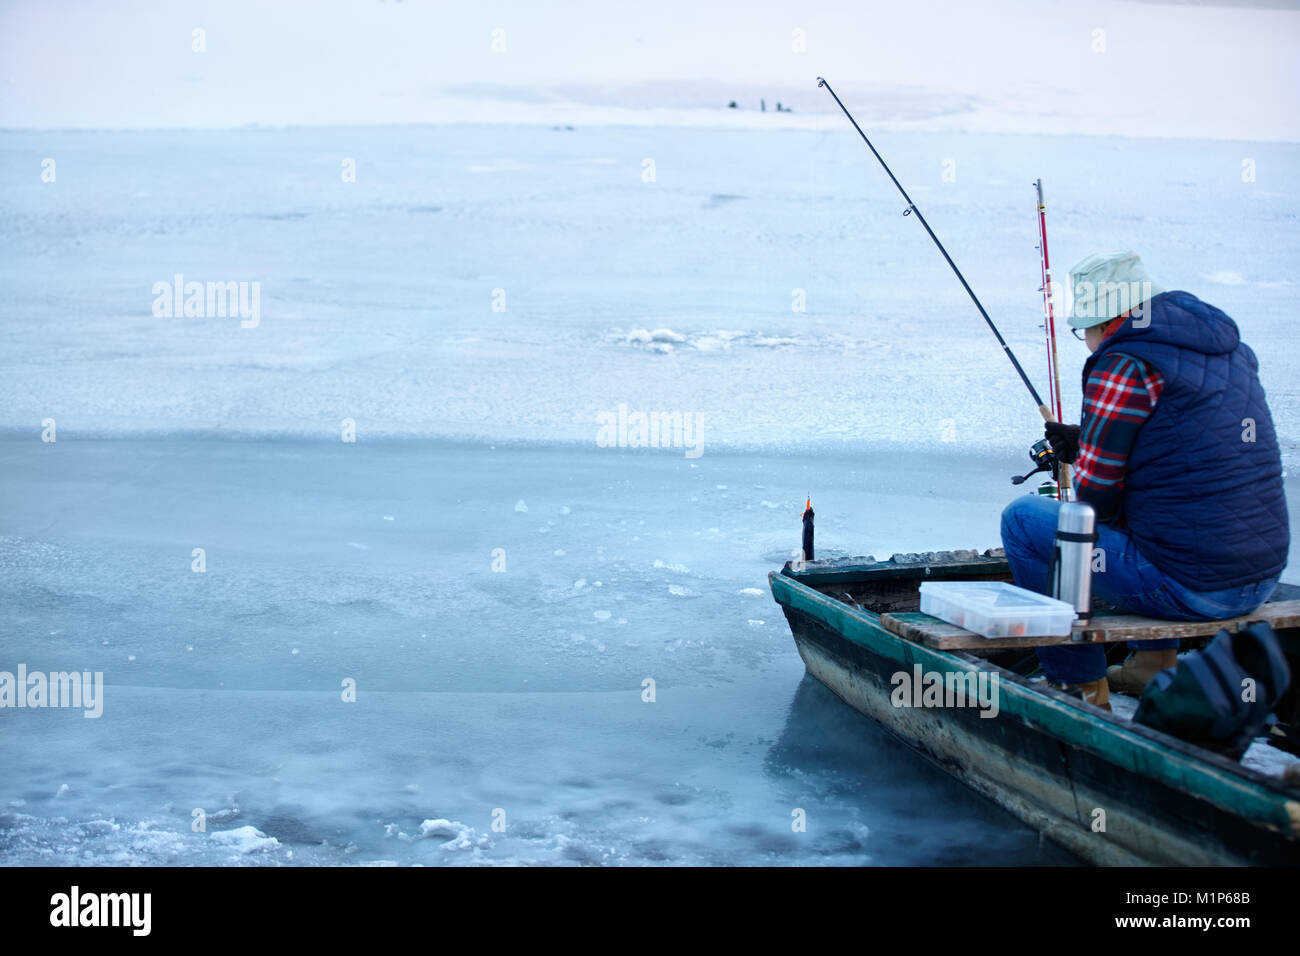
x,y
1050,759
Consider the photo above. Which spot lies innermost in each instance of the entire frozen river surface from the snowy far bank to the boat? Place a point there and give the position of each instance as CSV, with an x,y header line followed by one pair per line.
x,y
475,302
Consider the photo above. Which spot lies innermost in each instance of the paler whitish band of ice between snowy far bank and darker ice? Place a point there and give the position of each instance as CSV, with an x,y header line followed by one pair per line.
x,y
378,297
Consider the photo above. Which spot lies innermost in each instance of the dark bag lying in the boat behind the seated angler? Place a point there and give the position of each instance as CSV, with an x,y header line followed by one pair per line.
x,y
1203,699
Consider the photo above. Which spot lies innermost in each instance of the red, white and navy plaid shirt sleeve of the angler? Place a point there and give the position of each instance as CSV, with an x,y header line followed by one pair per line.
x,y
1119,397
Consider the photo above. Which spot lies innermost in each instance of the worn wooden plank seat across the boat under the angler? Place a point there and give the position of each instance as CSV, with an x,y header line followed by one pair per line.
x,y
1106,626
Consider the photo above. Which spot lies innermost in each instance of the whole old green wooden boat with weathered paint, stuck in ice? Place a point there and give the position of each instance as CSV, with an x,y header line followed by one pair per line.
x,y
1103,788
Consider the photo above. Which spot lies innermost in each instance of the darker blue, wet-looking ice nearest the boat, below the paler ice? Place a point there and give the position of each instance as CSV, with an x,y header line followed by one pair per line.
x,y
478,691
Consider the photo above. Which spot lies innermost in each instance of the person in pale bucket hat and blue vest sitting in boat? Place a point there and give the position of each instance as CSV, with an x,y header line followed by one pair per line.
x,y
1177,455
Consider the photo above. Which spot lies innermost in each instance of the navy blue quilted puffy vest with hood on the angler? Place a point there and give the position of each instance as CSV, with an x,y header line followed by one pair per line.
x,y
1204,504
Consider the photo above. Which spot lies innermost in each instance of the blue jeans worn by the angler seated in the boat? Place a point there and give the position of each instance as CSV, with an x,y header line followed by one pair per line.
x,y
1129,582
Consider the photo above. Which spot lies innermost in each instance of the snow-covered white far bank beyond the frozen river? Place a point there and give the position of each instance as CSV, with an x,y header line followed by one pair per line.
x,y
1168,70
